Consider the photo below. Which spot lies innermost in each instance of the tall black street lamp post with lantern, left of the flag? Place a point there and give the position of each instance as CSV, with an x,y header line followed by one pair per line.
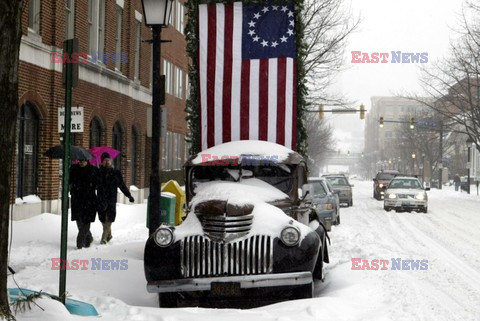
x,y
157,16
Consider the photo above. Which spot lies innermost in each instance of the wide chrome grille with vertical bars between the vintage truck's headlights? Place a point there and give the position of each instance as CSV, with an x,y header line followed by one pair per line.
x,y
203,257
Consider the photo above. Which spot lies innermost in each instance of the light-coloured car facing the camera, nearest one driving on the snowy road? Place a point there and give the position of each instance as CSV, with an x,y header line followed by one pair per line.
x,y
406,194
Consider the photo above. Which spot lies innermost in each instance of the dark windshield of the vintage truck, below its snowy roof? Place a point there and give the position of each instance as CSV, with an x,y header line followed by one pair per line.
x,y
277,176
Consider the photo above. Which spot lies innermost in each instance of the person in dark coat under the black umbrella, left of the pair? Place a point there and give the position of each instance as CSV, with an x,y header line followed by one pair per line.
x,y
83,182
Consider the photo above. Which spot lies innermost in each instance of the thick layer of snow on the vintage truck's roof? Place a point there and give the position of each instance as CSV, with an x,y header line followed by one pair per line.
x,y
236,149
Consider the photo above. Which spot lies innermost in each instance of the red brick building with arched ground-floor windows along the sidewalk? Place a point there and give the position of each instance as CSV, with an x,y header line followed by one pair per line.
x,y
115,93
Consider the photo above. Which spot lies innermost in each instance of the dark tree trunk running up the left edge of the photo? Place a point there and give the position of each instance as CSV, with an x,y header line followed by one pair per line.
x,y
10,37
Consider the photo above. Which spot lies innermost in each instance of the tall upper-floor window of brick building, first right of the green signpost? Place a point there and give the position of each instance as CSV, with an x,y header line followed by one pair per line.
x,y
96,26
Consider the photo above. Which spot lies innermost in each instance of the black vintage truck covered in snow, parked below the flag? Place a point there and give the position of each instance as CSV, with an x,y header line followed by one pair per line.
x,y
250,236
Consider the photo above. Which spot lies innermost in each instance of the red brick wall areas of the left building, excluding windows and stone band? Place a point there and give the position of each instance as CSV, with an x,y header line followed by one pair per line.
x,y
44,88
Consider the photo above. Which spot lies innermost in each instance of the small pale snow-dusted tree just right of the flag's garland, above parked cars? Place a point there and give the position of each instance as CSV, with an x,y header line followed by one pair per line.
x,y
320,142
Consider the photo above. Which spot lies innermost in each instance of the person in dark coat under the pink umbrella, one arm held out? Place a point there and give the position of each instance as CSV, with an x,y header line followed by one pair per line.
x,y
109,180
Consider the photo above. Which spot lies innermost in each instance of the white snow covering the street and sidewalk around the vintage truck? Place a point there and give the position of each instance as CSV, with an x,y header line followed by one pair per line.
x,y
449,289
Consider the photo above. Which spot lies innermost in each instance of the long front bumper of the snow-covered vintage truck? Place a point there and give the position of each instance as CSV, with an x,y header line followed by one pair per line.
x,y
245,282
